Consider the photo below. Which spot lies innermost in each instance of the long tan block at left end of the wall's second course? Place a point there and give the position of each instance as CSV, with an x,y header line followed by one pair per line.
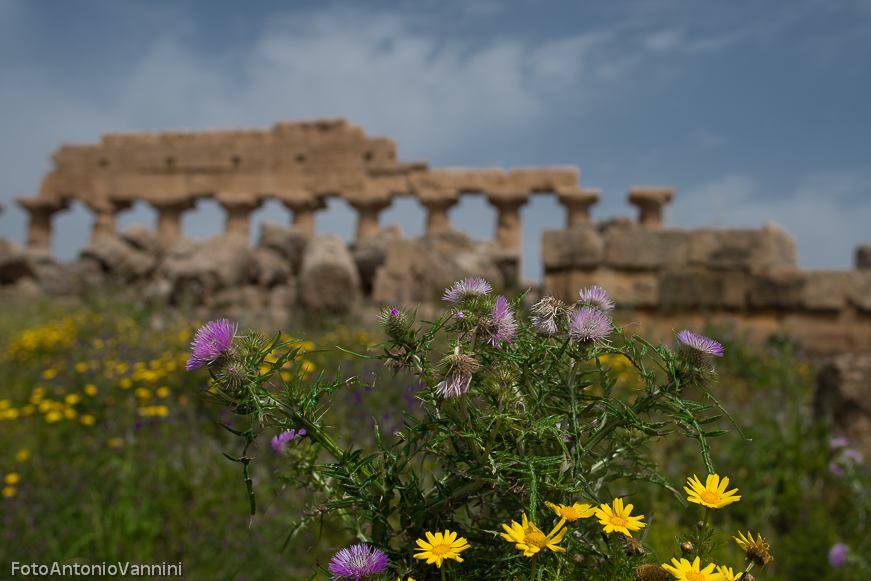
x,y
626,289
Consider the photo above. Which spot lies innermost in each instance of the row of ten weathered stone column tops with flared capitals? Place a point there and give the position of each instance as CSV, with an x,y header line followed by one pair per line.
x,y
650,202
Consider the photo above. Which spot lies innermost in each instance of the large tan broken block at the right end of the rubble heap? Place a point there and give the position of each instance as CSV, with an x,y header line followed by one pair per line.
x,y
421,269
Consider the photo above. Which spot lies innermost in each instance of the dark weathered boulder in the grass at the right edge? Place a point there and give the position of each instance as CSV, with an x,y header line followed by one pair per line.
x,y
843,392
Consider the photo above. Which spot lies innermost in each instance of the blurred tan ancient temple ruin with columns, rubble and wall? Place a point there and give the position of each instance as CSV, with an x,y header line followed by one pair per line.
x,y
657,274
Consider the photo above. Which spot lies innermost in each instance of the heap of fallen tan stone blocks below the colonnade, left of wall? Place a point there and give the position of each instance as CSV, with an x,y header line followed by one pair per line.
x,y
285,269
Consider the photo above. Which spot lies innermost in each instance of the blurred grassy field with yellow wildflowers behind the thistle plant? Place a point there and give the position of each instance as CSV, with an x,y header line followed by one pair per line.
x,y
107,454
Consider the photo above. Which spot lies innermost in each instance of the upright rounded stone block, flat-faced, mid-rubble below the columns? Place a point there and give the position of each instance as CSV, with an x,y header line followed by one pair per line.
x,y
328,278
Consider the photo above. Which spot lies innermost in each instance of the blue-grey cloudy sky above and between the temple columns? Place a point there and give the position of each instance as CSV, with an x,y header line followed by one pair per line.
x,y
754,111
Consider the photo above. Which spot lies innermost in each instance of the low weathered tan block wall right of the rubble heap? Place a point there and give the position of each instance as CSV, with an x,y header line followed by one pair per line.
x,y
668,276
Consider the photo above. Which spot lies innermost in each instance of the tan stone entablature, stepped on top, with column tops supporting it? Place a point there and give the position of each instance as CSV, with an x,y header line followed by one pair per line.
x,y
299,163
